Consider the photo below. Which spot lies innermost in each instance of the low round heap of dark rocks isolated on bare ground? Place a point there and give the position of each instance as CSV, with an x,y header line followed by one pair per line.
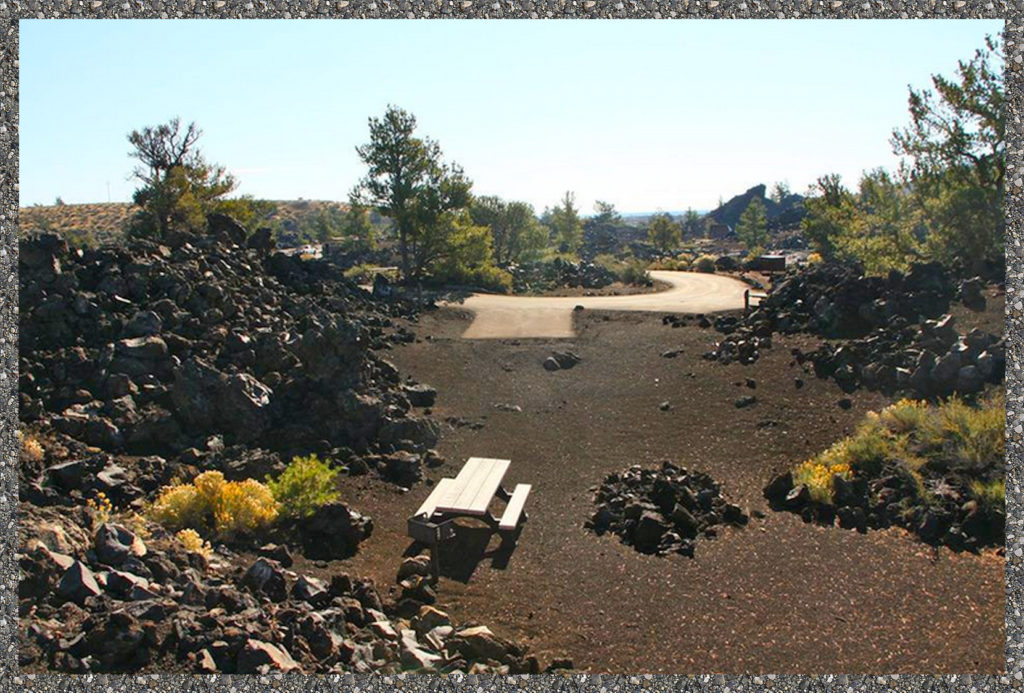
x,y
662,511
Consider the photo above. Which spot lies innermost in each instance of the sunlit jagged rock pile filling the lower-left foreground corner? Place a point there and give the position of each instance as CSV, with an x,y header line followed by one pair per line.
x,y
111,601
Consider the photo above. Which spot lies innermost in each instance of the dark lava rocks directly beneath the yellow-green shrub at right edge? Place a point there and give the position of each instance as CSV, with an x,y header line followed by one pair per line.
x,y
950,516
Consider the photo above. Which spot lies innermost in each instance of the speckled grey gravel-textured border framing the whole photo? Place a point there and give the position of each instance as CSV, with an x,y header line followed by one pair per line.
x,y
12,13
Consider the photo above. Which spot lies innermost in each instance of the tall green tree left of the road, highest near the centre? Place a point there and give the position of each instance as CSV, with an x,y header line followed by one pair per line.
x,y
408,183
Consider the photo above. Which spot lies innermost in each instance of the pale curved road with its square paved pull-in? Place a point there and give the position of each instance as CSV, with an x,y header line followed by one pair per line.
x,y
498,317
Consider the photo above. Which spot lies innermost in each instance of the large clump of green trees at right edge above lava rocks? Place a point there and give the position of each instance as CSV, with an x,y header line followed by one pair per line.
x,y
946,203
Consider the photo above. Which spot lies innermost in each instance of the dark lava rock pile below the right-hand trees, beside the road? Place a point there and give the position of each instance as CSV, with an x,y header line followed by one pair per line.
x,y
894,333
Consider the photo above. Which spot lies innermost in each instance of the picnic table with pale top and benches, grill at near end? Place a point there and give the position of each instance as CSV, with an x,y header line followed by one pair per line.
x,y
470,495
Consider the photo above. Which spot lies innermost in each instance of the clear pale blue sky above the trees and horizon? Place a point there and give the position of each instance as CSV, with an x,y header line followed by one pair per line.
x,y
647,115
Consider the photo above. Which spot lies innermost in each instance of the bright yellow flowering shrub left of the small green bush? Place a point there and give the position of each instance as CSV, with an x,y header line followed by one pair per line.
x,y
215,507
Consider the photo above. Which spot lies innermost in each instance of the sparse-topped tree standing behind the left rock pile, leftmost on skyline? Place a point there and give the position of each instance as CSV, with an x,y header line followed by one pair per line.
x,y
180,188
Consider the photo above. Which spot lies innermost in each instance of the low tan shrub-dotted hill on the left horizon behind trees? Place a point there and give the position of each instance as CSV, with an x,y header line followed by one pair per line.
x,y
106,223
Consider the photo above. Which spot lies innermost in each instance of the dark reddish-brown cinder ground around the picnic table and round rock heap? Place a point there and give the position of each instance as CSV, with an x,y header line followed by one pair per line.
x,y
778,595
